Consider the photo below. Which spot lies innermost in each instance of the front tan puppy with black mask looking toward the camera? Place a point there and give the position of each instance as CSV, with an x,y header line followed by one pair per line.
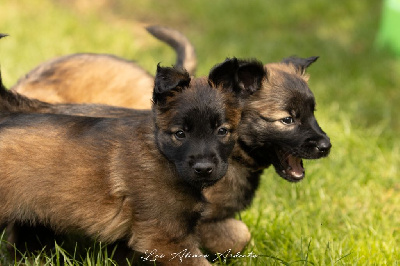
x,y
139,180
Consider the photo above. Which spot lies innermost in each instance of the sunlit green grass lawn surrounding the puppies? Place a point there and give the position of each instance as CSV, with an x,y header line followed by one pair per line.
x,y
347,210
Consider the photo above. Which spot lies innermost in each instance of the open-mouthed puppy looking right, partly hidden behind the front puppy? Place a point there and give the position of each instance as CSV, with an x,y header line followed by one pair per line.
x,y
278,128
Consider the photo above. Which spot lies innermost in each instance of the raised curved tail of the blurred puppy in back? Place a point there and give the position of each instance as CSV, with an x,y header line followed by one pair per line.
x,y
186,55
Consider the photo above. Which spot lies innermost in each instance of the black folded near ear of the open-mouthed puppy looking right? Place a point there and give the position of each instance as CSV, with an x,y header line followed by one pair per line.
x,y
250,75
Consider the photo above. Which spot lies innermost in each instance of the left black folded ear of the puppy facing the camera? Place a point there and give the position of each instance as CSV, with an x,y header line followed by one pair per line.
x,y
168,80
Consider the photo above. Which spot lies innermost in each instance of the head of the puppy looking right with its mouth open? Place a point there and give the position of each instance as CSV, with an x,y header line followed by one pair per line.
x,y
280,119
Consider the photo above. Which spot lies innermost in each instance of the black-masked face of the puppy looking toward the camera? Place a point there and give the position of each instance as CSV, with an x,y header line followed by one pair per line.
x,y
202,135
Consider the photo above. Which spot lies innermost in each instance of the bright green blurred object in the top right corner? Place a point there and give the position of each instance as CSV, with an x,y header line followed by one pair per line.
x,y
389,32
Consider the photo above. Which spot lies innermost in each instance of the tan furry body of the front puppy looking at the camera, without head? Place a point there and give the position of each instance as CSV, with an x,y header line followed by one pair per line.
x,y
93,185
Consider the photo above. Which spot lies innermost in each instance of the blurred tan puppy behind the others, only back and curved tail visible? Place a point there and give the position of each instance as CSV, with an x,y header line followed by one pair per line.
x,y
102,78
